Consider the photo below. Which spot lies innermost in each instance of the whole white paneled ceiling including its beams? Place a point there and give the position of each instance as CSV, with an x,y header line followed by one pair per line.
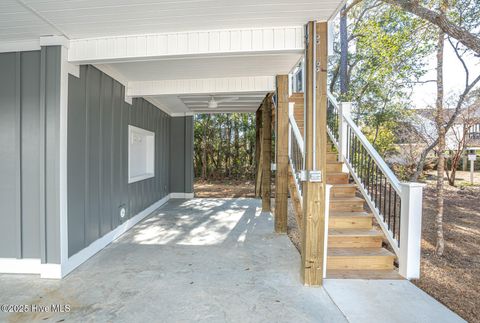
x,y
176,53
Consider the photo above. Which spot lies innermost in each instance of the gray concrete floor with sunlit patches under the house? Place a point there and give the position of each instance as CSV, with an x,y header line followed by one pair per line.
x,y
208,260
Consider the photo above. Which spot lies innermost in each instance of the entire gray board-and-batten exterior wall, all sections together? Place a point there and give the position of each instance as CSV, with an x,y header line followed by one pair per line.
x,y
98,118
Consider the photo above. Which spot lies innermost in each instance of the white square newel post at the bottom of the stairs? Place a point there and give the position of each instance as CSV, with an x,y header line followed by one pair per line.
x,y
410,230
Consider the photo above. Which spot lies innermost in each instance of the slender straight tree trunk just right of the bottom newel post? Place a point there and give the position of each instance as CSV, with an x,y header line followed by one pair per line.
x,y
440,120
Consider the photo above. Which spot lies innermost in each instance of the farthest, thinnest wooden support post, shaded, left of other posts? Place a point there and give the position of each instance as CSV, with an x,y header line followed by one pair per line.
x,y
266,153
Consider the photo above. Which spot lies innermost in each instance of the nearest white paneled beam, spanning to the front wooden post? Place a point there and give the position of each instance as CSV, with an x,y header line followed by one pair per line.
x,y
196,43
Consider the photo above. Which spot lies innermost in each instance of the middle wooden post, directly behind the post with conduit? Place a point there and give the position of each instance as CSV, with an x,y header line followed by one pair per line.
x,y
281,145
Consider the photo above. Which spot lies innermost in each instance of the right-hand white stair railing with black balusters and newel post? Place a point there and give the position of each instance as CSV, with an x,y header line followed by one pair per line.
x,y
396,206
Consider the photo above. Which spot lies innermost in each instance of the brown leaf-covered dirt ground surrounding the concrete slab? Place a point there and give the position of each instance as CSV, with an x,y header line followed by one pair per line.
x,y
453,279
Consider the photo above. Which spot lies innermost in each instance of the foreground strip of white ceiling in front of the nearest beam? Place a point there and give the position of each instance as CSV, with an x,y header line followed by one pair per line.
x,y
27,19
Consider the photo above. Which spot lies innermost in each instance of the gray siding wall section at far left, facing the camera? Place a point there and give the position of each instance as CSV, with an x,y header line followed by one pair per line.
x,y
29,151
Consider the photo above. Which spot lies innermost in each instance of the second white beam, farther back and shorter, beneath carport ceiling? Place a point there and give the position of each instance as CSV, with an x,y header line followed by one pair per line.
x,y
200,86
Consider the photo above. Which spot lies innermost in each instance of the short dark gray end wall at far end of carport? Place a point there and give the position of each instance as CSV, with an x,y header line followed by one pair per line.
x,y
181,149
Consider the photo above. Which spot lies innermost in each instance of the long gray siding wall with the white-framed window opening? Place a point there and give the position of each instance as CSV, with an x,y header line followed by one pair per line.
x,y
98,119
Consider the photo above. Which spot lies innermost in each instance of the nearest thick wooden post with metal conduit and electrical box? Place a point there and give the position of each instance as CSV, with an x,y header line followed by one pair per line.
x,y
315,154
